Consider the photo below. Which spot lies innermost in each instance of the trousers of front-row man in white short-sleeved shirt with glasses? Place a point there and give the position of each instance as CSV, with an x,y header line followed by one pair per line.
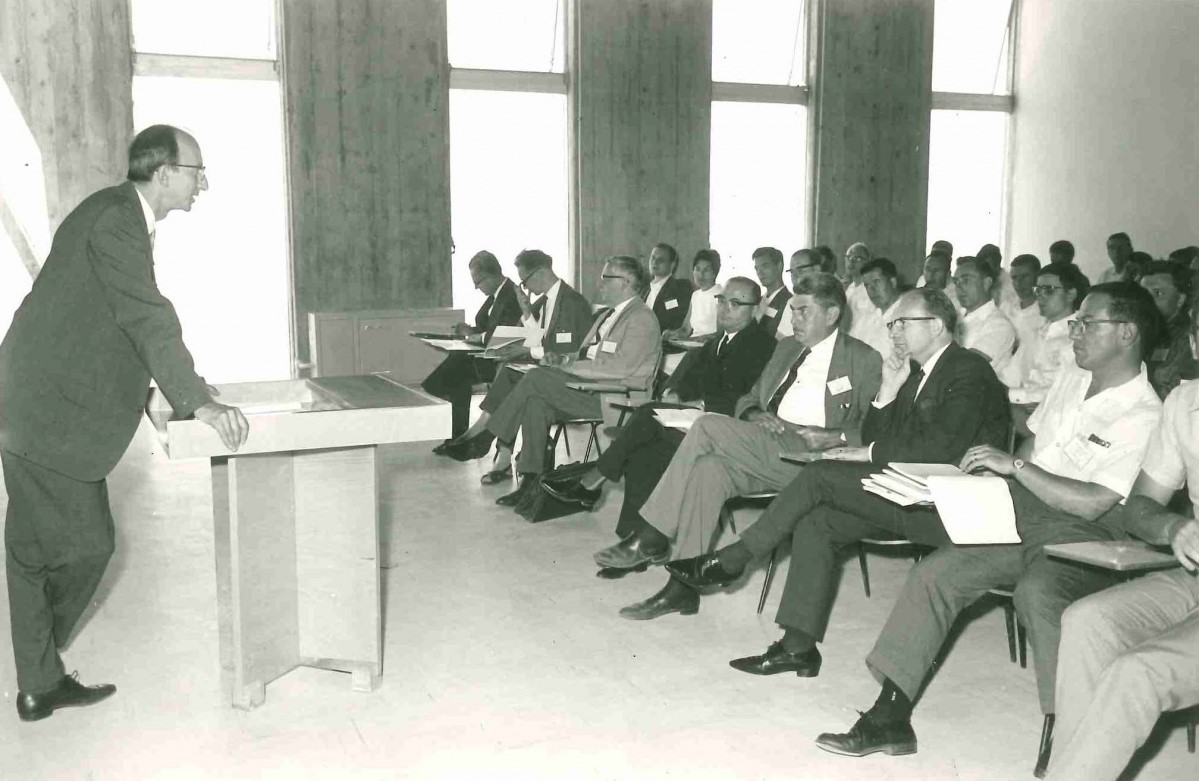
x,y
953,579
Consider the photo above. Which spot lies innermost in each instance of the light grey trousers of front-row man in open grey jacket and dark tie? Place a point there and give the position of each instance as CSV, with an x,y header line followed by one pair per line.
x,y
719,459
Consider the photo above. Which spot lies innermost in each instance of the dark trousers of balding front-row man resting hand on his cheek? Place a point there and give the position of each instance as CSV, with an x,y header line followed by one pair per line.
x,y
822,512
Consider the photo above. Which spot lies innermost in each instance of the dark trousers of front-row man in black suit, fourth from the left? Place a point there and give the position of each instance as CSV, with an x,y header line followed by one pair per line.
x,y
640,455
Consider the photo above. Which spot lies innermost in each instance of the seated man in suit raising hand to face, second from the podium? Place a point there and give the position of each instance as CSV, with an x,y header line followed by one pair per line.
x,y
564,317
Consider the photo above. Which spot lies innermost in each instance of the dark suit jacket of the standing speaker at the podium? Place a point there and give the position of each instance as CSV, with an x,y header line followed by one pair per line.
x,y
77,362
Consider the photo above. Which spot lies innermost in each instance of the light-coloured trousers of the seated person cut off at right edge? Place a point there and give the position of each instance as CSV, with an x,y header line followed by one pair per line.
x,y
1128,654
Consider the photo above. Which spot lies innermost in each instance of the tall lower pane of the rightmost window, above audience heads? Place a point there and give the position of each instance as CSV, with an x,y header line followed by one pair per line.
x,y
966,179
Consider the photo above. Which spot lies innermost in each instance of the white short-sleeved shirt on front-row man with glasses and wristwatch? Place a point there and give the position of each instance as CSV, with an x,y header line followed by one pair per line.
x,y
1101,440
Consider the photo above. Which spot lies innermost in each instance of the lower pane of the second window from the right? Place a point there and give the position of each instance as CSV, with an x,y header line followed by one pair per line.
x,y
758,193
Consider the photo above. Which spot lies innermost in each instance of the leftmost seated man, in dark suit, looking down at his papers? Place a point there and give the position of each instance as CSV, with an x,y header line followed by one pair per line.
x,y
454,379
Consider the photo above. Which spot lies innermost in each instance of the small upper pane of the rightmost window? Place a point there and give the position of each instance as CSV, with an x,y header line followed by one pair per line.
x,y
972,46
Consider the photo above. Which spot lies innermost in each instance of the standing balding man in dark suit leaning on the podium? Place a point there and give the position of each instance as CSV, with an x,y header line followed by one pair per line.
x,y
75,370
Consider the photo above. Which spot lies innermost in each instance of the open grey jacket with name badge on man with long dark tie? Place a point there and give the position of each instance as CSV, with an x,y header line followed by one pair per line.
x,y
846,408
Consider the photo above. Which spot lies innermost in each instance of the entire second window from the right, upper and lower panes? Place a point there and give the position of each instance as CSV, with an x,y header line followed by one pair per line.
x,y
760,130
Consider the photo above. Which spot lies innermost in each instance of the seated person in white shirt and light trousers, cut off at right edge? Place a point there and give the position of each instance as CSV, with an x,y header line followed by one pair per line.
x,y
1130,653
